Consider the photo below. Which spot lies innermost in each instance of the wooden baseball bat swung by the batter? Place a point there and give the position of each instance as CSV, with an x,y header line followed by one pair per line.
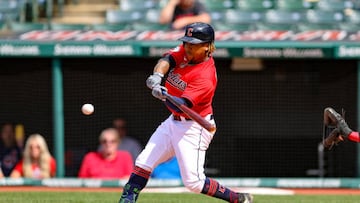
x,y
191,113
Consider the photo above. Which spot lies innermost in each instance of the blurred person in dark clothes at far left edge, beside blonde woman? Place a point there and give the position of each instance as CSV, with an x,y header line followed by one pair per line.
x,y
10,153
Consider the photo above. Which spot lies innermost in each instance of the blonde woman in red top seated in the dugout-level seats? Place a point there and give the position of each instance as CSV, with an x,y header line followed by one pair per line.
x,y
37,161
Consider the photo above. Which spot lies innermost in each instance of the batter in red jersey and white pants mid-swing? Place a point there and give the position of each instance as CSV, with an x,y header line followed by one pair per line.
x,y
191,80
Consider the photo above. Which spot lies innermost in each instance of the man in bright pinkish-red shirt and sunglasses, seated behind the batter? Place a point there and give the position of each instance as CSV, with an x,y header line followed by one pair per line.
x,y
108,162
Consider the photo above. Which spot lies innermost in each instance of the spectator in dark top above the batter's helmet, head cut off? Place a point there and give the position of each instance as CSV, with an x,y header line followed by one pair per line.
x,y
179,13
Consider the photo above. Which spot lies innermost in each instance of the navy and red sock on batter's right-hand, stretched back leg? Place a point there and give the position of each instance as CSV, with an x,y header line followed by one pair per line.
x,y
214,189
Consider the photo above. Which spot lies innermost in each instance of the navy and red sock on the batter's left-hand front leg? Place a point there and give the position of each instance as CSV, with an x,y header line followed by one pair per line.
x,y
136,183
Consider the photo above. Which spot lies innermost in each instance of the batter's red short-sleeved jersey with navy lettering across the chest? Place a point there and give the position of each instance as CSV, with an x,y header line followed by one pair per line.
x,y
195,82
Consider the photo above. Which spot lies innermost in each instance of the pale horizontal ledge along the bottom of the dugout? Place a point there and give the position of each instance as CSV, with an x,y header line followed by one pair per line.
x,y
353,183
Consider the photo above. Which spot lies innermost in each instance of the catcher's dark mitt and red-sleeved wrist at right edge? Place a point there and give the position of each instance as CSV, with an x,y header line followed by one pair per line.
x,y
341,129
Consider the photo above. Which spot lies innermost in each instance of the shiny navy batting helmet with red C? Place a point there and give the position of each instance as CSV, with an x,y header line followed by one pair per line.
x,y
196,33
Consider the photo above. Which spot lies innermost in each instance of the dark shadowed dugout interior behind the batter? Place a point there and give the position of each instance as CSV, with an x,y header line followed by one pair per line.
x,y
269,120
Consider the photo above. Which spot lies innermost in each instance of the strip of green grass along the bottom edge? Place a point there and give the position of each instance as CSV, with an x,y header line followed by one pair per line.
x,y
111,197
